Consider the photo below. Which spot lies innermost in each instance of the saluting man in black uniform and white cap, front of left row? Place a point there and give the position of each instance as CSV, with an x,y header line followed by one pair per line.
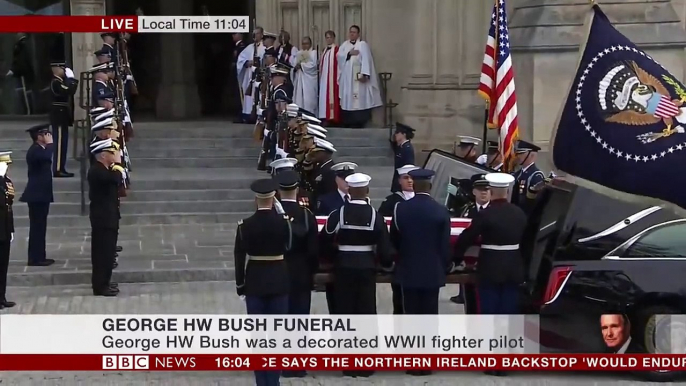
x,y
104,178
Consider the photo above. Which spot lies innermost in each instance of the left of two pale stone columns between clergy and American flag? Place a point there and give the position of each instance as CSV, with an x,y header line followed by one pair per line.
x,y
424,43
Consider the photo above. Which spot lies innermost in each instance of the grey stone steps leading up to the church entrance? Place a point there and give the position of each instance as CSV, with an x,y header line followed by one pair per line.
x,y
190,186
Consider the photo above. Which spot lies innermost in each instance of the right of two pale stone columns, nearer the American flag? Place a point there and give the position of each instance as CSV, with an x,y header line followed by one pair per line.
x,y
447,48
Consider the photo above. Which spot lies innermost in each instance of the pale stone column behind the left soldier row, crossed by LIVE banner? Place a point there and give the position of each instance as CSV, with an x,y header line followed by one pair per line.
x,y
84,44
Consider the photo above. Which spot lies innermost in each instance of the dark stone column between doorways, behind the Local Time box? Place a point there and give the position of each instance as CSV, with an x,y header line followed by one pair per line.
x,y
177,96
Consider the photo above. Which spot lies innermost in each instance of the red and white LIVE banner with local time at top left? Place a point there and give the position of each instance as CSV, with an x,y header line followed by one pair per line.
x,y
131,24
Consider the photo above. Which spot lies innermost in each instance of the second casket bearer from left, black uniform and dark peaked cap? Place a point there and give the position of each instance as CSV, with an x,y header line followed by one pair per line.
x,y
303,257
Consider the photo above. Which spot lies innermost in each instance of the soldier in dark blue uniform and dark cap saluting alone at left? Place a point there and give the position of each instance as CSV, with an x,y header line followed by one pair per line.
x,y
38,193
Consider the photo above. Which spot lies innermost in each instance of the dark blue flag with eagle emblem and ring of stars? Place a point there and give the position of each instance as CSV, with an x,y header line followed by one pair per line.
x,y
623,125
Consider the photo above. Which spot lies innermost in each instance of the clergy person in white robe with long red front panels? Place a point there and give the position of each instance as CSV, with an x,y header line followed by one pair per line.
x,y
329,99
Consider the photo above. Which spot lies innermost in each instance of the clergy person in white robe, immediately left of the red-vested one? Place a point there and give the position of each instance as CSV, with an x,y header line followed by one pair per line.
x,y
305,79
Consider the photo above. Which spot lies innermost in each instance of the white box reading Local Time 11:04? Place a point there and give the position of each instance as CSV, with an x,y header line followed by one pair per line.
x,y
193,24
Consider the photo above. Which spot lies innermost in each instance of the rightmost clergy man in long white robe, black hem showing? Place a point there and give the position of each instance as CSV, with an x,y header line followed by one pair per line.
x,y
357,81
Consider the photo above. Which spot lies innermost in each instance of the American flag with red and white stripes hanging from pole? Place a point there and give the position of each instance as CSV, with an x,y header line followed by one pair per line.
x,y
497,83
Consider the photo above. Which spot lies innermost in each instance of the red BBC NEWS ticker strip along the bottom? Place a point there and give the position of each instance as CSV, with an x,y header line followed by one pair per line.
x,y
251,362
